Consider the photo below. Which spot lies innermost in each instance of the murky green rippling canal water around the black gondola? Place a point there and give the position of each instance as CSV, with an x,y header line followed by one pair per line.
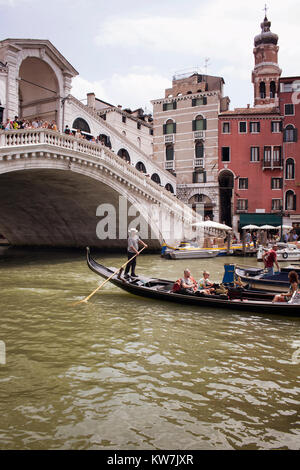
x,y
123,372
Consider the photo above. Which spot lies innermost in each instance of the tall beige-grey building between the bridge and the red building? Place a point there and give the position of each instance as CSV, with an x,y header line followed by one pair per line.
x,y
185,126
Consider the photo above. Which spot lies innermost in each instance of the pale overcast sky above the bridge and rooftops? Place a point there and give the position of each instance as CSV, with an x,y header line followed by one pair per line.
x,y
127,51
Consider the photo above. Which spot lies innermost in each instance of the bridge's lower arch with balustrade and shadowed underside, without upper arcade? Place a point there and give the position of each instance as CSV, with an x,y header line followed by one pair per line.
x,y
57,190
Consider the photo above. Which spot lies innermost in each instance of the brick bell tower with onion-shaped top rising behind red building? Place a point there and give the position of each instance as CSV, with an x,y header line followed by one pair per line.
x,y
266,73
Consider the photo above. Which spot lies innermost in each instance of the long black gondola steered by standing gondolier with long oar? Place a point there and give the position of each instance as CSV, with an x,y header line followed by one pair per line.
x,y
161,289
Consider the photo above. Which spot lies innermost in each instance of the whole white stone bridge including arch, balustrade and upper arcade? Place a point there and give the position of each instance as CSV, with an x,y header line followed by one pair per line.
x,y
58,190
